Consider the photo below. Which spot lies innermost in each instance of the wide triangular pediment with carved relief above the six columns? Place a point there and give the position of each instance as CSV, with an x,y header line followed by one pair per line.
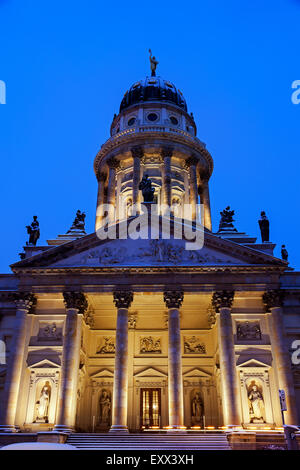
x,y
91,252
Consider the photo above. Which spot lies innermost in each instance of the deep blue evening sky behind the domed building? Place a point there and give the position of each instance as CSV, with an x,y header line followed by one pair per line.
x,y
67,65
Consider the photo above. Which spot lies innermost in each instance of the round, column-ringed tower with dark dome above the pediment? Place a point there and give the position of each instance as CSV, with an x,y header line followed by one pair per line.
x,y
153,134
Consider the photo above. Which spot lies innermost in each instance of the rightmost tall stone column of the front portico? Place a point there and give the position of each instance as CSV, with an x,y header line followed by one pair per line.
x,y
273,301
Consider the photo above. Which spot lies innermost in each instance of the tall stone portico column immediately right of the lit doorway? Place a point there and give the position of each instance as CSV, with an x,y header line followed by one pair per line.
x,y
173,300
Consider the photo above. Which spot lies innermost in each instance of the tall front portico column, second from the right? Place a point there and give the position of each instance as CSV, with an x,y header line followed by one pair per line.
x,y
222,302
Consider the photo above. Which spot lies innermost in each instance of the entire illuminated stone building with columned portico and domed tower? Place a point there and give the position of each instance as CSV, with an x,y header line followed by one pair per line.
x,y
153,321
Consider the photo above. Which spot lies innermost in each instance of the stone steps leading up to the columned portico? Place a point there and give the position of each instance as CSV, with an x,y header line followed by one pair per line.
x,y
150,441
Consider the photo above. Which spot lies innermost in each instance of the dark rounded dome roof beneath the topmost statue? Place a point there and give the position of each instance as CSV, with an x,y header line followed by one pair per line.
x,y
153,89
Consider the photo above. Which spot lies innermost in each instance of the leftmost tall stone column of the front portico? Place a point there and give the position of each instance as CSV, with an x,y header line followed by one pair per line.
x,y
25,301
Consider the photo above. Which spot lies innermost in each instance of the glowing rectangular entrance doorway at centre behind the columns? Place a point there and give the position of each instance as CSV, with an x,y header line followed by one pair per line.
x,y
150,411
